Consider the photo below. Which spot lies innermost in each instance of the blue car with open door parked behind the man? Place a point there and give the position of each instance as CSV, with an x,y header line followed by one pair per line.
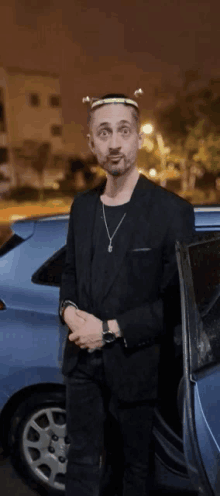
x,y
185,445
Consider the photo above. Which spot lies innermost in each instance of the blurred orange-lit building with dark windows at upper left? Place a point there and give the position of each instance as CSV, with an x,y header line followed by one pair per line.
x,y
30,114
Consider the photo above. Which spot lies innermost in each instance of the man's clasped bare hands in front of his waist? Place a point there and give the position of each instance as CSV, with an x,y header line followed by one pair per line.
x,y
86,330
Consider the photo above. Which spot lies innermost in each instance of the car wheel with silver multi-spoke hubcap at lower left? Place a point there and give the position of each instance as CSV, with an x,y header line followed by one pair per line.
x,y
38,442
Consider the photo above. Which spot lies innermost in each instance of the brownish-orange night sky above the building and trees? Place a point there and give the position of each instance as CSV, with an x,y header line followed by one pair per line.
x,y
112,46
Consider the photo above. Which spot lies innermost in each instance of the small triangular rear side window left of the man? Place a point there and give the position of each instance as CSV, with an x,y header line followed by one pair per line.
x,y
50,272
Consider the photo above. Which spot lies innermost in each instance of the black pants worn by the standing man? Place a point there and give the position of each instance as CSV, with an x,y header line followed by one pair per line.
x,y
87,404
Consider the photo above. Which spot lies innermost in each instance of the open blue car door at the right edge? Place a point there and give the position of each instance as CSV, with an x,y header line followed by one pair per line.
x,y
199,273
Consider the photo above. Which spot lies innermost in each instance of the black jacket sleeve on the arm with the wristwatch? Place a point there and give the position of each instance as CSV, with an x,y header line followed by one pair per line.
x,y
145,325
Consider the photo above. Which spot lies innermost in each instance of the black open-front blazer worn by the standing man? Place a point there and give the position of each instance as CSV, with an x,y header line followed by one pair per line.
x,y
142,290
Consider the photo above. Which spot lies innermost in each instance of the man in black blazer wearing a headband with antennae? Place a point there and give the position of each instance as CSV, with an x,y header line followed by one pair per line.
x,y
119,276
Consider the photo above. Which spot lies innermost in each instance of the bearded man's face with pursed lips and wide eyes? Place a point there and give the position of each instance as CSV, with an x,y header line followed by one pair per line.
x,y
114,138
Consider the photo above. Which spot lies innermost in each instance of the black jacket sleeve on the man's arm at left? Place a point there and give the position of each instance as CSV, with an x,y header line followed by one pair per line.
x,y
68,280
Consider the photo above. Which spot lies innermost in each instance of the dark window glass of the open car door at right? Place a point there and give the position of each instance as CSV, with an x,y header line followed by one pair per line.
x,y
205,267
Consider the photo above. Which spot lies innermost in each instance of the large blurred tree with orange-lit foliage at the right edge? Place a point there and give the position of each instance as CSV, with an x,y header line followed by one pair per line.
x,y
190,125
